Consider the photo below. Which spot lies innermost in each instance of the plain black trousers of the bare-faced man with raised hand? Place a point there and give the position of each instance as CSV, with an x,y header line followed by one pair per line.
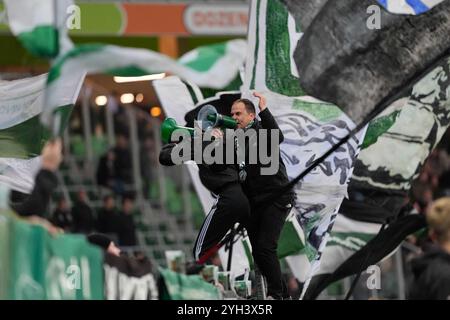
x,y
264,229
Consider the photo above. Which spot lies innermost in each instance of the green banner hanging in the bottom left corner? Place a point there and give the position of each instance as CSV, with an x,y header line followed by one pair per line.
x,y
39,266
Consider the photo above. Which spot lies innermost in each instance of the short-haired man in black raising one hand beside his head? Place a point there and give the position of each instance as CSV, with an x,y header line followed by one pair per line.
x,y
259,181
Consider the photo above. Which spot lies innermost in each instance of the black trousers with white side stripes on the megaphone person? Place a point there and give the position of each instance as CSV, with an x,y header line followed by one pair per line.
x,y
231,206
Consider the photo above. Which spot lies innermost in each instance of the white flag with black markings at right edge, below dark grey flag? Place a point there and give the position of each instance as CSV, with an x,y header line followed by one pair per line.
x,y
413,127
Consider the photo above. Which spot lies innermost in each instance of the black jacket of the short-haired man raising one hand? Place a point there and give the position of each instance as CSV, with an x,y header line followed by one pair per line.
x,y
257,186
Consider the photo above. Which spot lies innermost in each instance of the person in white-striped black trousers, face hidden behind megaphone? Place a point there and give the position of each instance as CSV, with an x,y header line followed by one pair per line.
x,y
230,205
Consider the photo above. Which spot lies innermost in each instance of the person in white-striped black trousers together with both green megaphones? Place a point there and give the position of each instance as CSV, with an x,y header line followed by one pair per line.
x,y
231,204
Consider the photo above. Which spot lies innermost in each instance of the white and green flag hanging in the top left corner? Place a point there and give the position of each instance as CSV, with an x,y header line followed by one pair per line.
x,y
40,25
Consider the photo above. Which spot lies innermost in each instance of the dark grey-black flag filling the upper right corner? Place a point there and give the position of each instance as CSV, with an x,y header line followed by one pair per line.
x,y
363,69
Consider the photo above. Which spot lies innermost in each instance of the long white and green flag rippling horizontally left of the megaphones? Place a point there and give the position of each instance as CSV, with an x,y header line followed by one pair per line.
x,y
220,66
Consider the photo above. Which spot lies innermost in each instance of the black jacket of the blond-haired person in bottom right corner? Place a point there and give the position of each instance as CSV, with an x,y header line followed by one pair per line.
x,y
431,276
